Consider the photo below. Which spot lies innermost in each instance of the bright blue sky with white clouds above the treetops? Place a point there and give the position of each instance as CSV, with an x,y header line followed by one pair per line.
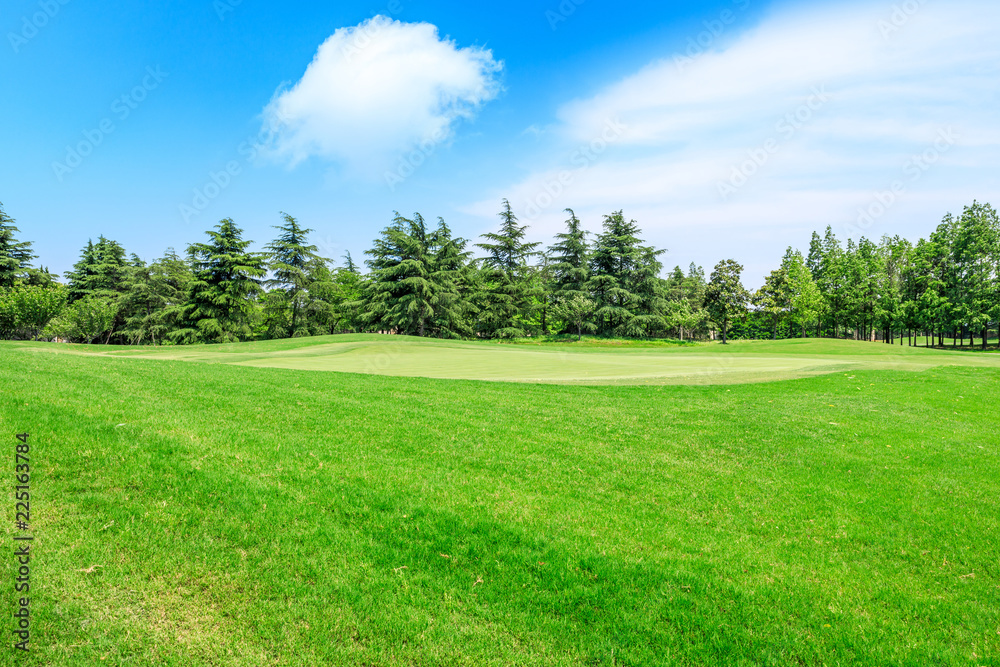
x,y
726,129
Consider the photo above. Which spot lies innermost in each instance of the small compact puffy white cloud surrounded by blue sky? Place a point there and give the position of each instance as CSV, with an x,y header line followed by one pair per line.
x,y
377,89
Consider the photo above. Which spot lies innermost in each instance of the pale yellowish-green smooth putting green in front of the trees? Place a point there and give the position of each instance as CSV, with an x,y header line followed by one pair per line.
x,y
592,362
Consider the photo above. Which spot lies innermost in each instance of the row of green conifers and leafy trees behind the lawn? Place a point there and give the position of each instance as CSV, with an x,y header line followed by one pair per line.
x,y
420,279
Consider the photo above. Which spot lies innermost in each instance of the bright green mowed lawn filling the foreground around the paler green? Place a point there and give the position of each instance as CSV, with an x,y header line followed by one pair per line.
x,y
219,514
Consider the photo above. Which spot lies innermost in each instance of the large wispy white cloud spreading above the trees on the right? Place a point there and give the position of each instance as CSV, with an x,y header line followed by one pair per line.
x,y
882,80
